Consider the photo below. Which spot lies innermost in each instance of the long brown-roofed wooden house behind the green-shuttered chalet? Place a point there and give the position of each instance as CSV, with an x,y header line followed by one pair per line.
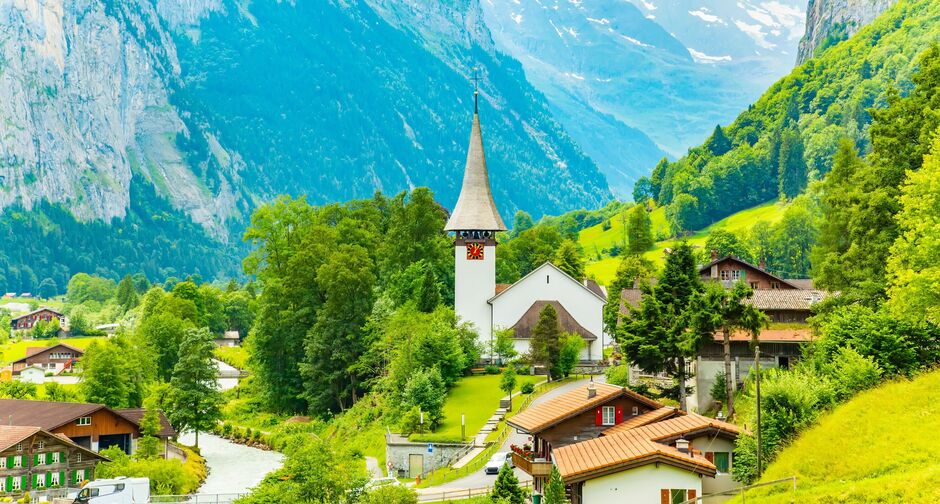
x,y
92,426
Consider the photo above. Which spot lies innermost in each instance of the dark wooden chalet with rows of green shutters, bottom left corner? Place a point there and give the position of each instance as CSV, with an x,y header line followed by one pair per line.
x,y
33,459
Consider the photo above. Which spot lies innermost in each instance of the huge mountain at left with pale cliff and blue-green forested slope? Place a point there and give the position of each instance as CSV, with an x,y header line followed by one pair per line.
x,y
211,107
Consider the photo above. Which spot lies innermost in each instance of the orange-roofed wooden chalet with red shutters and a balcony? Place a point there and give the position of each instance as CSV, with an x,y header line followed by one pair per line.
x,y
583,413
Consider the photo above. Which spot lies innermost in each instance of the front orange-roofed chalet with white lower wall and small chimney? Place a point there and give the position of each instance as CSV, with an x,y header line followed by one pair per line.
x,y
662,456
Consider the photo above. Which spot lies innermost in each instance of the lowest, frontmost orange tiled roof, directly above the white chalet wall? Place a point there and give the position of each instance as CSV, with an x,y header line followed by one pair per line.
x,y
578,461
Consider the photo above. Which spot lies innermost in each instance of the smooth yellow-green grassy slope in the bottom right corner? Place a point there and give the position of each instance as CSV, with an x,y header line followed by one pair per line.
x,y
875,448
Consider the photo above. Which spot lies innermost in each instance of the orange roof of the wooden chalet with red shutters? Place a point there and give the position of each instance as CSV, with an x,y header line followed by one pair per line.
x,y
554,411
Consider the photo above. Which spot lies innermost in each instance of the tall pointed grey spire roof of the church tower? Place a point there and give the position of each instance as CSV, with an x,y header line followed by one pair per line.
x,y
475,209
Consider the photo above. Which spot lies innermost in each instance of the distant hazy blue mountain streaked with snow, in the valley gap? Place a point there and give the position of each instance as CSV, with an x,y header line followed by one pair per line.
x,y
619,75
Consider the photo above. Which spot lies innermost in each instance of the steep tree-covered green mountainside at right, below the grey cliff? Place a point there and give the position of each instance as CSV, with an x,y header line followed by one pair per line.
x,y
809,111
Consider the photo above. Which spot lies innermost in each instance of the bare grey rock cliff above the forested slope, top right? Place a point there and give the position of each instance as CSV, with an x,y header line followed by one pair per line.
x,y
829,22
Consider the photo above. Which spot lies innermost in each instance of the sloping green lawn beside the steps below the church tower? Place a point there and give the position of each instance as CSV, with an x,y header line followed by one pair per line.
x,y
477,397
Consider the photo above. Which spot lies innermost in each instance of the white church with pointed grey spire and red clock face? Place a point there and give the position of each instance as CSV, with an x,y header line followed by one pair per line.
x,y
490,307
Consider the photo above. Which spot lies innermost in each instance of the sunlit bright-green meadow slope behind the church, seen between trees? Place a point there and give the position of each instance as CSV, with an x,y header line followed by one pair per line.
x,y
595,240
